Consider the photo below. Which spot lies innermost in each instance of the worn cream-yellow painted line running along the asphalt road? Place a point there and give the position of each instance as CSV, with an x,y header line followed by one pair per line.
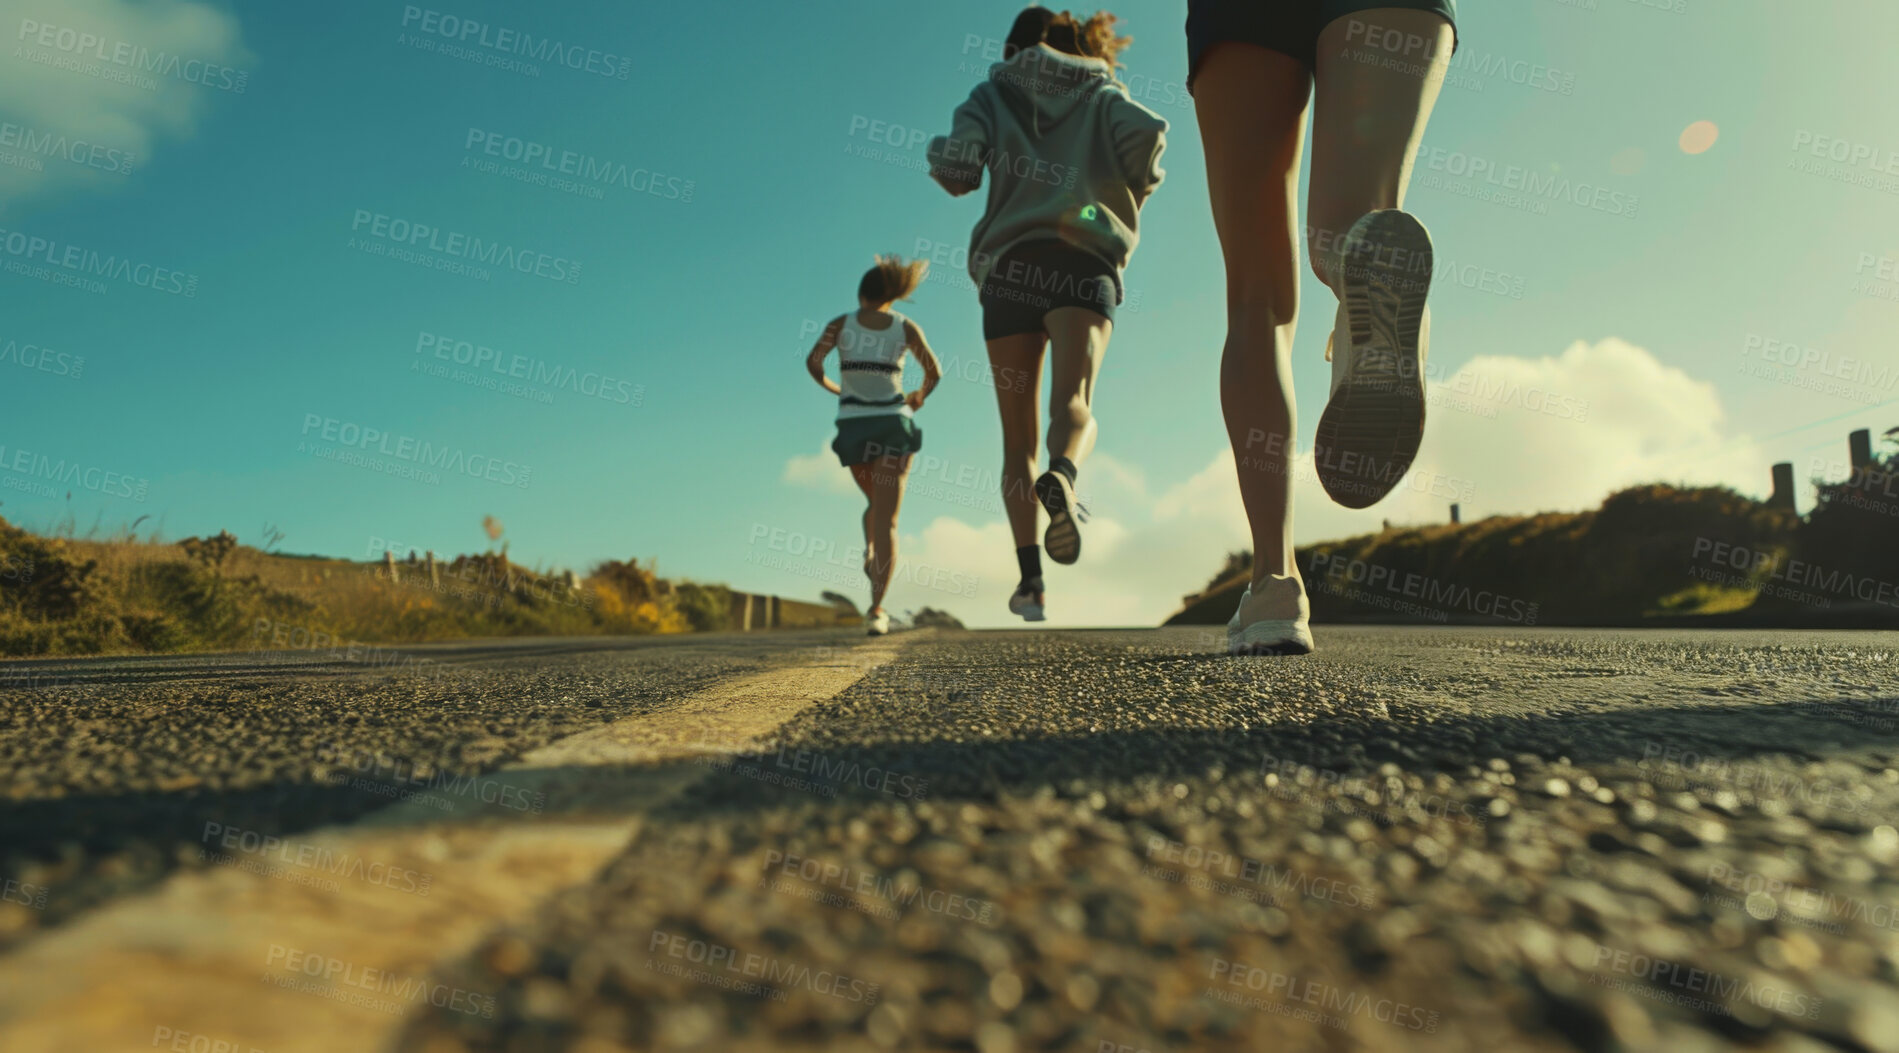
x,y
216,951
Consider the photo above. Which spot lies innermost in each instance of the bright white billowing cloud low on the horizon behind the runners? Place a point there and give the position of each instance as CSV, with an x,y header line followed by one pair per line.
x,y
1507,435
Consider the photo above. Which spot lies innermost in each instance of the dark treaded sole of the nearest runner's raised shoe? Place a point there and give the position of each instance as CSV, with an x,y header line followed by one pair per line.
x,y
1372,428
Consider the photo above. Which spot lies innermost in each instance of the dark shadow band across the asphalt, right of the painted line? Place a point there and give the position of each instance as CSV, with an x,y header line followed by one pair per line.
x,y
1744,748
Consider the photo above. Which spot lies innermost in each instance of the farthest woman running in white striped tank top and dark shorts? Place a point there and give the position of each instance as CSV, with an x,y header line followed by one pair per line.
x,y
876,434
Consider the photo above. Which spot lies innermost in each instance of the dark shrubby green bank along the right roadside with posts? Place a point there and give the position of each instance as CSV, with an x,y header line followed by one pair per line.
x,y
1649,557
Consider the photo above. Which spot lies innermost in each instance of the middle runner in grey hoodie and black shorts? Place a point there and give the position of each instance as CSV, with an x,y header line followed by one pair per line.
x,y
1070,162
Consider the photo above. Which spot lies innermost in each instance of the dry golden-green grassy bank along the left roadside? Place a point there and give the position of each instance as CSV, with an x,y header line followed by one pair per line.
x,y
75,597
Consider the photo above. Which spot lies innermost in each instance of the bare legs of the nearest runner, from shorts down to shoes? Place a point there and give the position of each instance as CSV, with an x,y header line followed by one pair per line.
x,y
1252,107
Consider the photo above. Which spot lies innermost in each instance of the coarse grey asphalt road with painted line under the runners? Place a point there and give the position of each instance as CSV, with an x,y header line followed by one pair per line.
x,y
1110,841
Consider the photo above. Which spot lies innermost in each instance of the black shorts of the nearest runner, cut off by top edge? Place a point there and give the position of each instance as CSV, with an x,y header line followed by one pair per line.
x,y
1292,28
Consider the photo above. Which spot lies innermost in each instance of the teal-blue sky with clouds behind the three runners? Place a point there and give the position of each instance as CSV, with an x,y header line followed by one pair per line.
x,y
1634,312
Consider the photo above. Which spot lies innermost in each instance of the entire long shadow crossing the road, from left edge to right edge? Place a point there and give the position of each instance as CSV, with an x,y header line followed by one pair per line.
x,y
1721,747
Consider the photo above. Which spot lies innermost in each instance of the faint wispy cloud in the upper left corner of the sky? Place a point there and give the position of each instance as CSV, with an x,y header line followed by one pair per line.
x,y
90,86
